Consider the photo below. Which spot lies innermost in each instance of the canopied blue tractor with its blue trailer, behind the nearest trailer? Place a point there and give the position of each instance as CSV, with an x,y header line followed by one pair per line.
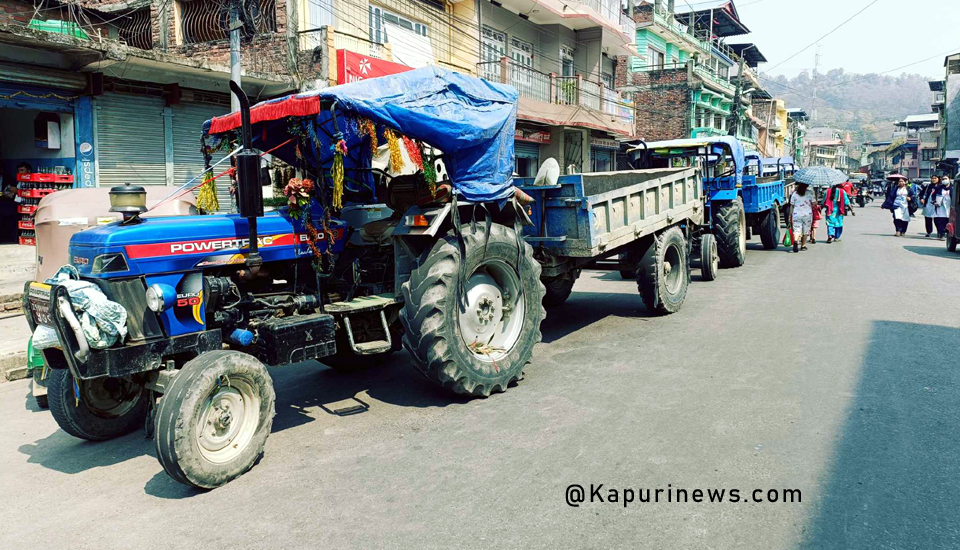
x,y
739,199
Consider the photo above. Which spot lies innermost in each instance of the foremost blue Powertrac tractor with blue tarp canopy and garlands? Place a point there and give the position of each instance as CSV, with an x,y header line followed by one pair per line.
x,y
209,301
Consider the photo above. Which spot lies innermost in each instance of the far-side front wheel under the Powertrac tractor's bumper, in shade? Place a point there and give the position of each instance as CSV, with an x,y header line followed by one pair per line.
x,y
106,407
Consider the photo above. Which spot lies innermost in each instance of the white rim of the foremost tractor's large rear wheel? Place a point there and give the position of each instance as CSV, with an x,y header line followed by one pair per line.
x,y
492,321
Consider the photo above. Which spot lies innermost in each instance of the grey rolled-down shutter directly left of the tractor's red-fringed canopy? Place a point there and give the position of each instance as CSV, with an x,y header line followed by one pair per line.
x,y
188,119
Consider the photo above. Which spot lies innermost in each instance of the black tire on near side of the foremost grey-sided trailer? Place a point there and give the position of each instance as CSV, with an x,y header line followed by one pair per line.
x,y
653,286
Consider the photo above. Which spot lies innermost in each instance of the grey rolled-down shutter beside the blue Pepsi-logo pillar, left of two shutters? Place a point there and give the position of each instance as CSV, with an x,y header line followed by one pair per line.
x,y
130,140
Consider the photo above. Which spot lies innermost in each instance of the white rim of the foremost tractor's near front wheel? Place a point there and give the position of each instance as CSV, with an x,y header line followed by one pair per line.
x,y
228,420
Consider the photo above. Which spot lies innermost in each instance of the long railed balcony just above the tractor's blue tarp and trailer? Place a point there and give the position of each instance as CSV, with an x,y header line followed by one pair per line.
x,y
552,99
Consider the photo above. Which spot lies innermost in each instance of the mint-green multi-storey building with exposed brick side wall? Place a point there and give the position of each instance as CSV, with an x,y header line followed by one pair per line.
x,y
690,82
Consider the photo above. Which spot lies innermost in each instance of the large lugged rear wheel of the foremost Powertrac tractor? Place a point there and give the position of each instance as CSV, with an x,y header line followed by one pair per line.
x,y
481,348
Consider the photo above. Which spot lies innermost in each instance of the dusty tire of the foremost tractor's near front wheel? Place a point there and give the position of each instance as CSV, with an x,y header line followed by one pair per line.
x,y
181,406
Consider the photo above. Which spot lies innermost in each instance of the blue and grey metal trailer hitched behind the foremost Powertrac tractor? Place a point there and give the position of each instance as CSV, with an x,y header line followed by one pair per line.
x,y
648,218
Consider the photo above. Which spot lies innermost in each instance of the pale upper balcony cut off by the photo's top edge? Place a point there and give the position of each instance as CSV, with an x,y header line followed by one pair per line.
x,y
618,31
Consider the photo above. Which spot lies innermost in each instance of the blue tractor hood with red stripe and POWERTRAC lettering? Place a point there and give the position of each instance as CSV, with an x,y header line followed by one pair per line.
x,y
188,243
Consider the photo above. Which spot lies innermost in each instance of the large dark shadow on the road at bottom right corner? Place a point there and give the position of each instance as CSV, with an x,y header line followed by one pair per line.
x,y
895,477
